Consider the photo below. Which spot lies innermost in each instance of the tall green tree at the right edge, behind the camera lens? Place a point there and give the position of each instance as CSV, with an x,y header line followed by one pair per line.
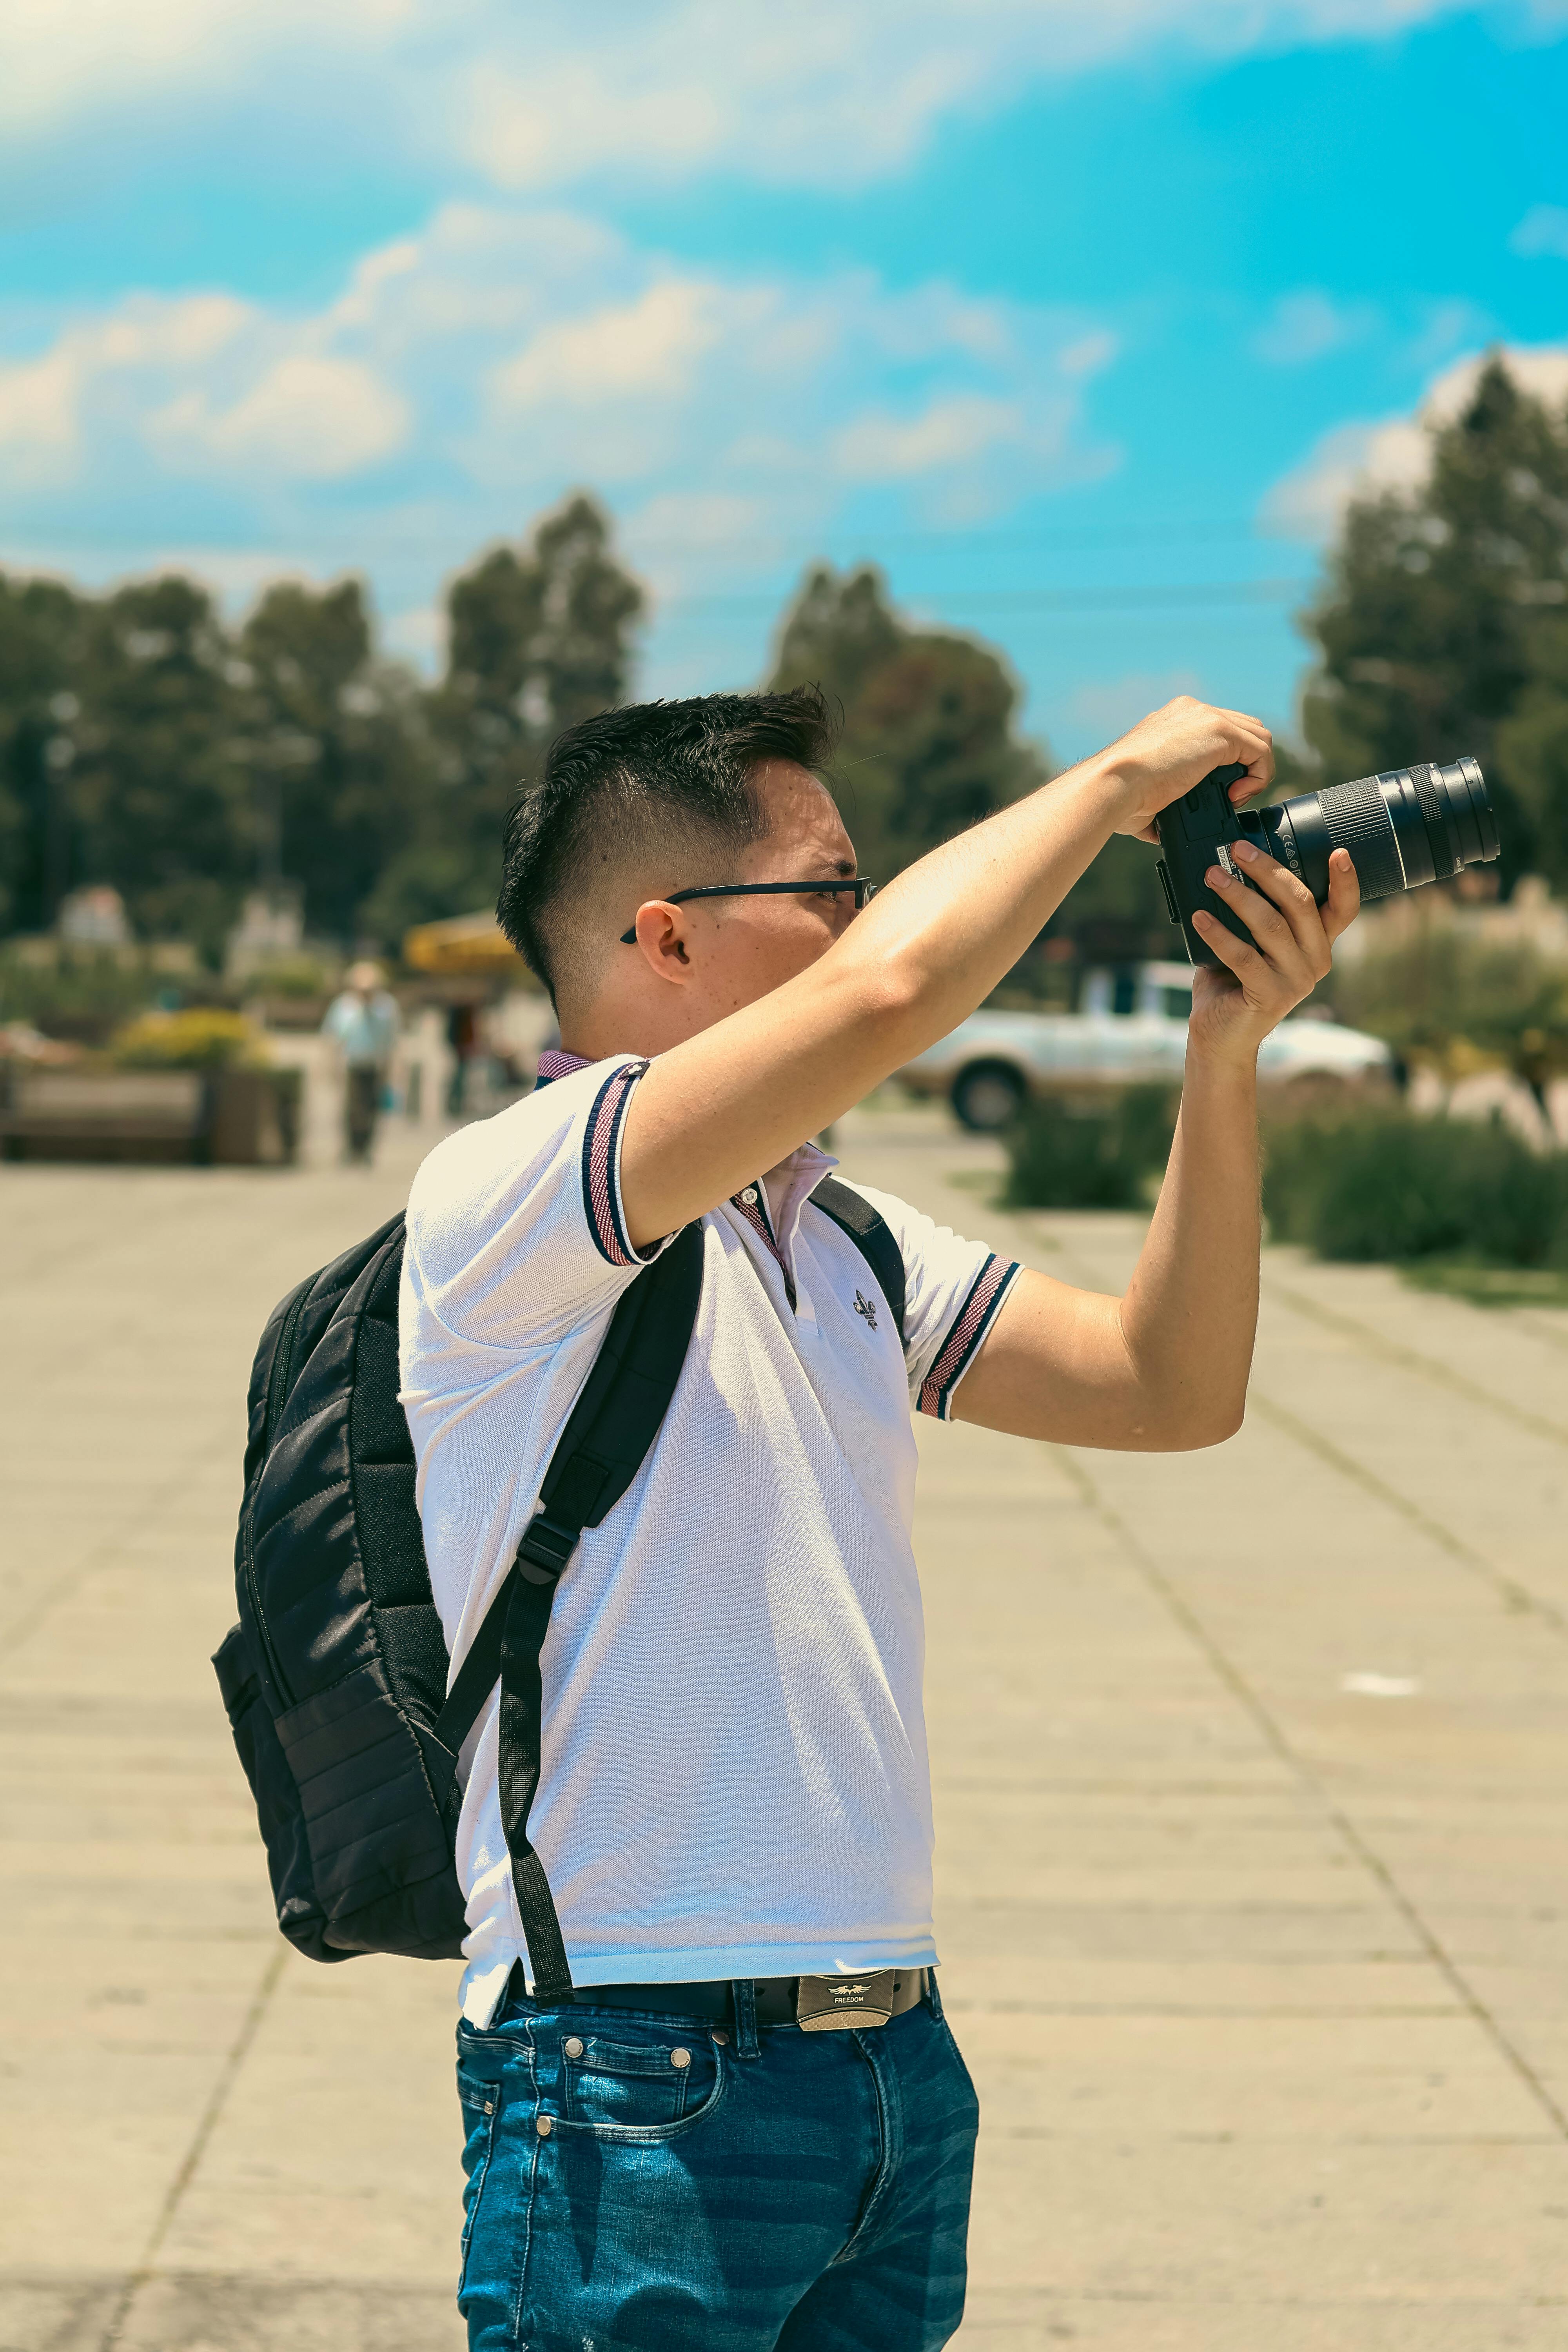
x,y
1440,629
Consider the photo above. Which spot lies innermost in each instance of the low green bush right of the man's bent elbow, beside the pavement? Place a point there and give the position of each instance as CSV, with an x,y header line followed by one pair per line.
x,y
1391,1187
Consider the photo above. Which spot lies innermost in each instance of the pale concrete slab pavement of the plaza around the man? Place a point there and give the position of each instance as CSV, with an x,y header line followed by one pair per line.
x,y
1252,1789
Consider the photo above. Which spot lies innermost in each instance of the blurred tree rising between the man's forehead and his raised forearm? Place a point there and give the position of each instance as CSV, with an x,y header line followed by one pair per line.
x,y
927,742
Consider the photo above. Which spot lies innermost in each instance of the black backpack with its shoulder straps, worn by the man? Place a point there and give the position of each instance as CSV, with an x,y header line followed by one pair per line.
x,y
335,1678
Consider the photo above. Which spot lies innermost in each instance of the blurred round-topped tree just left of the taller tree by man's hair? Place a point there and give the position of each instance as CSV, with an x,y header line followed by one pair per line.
x,y
337,749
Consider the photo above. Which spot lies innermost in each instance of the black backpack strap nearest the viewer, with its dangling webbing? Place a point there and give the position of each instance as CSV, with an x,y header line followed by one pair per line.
x,y
598,1457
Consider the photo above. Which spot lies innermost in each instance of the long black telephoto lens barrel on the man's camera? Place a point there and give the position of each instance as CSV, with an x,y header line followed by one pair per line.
x,y
1405,827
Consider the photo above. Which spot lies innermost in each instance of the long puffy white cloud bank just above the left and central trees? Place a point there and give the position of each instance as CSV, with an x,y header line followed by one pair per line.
x,y
507,354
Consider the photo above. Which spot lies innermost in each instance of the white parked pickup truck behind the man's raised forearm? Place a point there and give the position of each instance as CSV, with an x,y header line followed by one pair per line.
x,y
1132,1029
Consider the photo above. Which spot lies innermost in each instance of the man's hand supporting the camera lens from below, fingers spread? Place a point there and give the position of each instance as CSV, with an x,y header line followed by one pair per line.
x,y
1235,1010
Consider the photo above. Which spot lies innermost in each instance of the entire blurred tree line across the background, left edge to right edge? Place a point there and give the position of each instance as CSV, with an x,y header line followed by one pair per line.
x,y
149,744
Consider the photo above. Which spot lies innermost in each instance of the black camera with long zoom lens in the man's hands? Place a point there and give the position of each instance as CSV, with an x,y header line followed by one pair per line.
x,y
1402,829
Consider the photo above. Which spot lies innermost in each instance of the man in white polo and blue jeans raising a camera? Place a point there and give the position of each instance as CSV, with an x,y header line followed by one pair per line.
x,y
735,1798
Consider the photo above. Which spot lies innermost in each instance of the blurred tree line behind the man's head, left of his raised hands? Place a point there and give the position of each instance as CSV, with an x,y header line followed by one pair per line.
x,y
152,747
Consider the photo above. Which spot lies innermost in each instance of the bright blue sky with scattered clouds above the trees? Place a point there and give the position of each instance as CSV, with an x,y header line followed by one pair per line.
x,y
1080,321
